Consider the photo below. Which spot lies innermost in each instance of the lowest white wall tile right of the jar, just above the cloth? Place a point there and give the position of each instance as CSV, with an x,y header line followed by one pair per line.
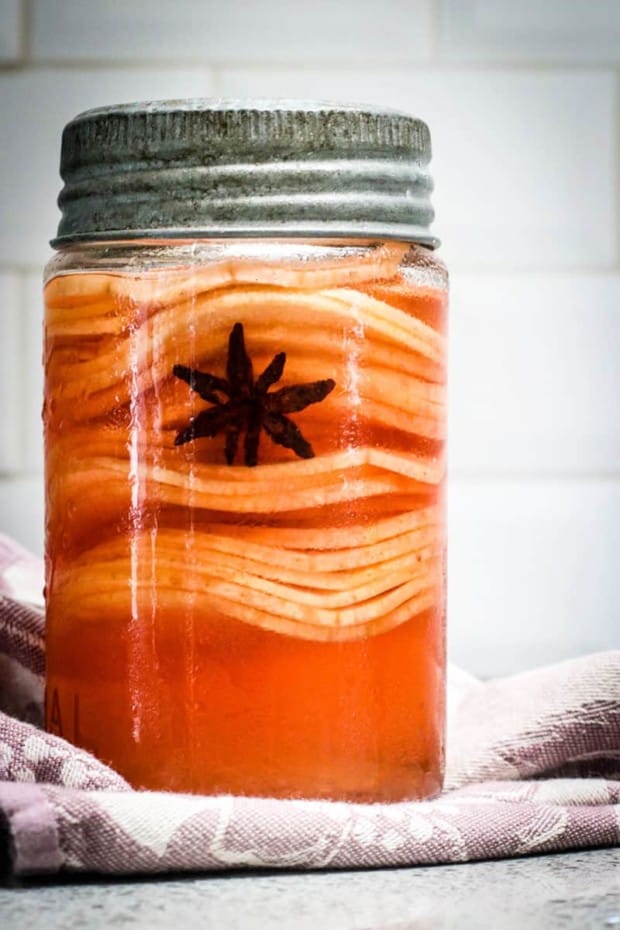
x,y
533,570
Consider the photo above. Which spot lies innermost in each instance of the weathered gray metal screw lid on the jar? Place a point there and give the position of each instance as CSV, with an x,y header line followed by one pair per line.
x,y
240,168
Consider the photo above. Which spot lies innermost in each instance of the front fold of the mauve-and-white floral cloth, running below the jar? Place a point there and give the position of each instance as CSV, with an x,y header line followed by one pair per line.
x,y
142,832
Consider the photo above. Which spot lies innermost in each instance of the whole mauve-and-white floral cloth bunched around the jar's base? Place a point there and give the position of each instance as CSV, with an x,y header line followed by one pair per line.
x,y
533,765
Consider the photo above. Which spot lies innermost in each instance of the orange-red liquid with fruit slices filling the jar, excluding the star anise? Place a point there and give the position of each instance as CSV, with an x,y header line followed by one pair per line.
x,y
195,643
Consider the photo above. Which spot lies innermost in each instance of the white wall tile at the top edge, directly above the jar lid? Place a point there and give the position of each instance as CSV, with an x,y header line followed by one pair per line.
x,y
238,31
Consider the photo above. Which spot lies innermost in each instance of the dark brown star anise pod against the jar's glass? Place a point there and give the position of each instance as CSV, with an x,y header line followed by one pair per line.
x,y
244,405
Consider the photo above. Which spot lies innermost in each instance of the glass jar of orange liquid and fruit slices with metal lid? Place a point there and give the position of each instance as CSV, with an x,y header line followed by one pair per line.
x,y
245,415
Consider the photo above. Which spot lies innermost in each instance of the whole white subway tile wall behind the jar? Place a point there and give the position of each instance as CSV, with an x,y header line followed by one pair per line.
x,y
523,103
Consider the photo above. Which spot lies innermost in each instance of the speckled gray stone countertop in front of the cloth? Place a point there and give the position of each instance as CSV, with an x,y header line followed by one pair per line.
x,y
579,890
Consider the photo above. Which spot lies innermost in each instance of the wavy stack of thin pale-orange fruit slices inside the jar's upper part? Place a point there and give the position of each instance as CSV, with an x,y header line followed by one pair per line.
x,y
115,340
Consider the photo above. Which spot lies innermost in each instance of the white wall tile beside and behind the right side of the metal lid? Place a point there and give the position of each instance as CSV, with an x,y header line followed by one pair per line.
x,y
521,159
